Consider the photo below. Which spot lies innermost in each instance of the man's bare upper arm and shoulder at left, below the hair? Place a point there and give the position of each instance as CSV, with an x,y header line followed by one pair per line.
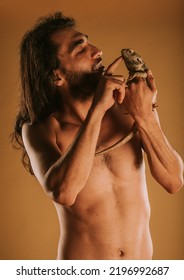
x,y
40,144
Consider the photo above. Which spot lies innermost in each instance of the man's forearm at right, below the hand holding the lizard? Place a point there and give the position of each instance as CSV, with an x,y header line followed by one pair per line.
x,y
165,164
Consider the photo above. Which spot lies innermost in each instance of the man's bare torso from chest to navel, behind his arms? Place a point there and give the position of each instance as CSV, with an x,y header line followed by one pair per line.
x,y
110,217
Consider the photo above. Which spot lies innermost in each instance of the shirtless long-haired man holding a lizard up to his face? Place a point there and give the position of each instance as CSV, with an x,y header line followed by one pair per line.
x,y
101,201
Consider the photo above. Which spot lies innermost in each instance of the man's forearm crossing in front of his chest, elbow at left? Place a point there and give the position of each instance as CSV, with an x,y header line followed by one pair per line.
x,y
66,177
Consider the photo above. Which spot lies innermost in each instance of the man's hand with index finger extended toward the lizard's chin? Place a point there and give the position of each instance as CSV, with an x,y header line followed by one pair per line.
x,y
111,88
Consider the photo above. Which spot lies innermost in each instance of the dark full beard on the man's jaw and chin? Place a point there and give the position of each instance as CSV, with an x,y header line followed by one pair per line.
x,y
82,85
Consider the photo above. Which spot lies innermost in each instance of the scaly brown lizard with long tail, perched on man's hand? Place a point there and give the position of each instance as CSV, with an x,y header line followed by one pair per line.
x,y
137,69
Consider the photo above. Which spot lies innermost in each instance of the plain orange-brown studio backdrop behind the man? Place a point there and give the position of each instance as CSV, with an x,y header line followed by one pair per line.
x,y
28,221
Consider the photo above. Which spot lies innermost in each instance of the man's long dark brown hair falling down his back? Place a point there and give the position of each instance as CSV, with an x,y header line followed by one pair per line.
x,y
38,59
